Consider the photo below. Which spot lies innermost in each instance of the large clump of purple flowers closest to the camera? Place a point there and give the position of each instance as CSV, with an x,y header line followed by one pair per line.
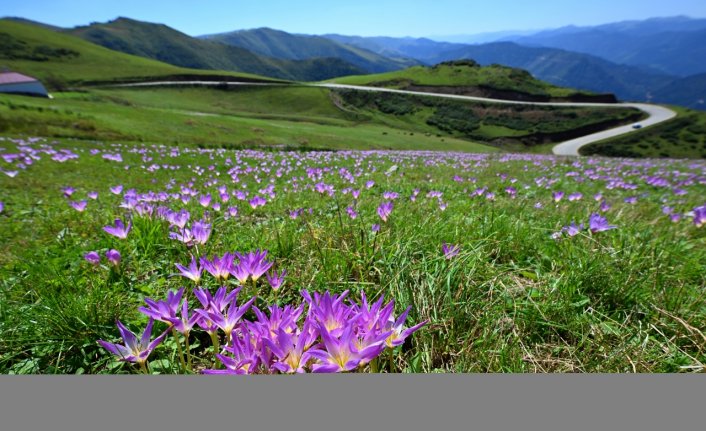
x,y
327,333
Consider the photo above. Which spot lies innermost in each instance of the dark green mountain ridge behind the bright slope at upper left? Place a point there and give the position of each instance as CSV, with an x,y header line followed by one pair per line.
x,y
162,43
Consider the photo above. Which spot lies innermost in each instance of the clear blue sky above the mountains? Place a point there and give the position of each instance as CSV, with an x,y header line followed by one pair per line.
x,y
362,17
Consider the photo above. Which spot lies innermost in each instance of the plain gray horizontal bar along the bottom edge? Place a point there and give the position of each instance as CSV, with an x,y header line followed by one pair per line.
x,y
356,402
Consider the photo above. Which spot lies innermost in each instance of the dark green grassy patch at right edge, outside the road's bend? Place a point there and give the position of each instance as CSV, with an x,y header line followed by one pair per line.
x,y
682,137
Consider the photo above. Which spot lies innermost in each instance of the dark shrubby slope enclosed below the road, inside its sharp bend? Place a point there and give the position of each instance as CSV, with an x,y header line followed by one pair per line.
x,y
511,127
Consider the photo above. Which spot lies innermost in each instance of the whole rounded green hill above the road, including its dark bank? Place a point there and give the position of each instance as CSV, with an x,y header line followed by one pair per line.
x,y
467,77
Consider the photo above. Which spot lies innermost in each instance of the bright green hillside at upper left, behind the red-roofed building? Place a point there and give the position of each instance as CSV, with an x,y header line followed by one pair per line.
x,y
92,62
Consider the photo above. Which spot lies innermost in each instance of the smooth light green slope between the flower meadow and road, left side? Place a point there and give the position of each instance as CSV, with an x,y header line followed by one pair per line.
x,y
209,117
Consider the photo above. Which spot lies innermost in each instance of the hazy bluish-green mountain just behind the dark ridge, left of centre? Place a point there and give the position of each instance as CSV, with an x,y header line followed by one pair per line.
x,y
282,45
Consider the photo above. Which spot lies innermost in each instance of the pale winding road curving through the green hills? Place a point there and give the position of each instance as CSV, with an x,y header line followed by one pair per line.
x,y
656,114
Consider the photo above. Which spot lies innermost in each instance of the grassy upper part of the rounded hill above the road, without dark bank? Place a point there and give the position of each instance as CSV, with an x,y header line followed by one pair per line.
x,y
499,77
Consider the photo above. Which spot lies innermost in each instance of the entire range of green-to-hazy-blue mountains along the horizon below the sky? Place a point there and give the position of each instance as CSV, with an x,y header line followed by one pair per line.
x,y
658,60
